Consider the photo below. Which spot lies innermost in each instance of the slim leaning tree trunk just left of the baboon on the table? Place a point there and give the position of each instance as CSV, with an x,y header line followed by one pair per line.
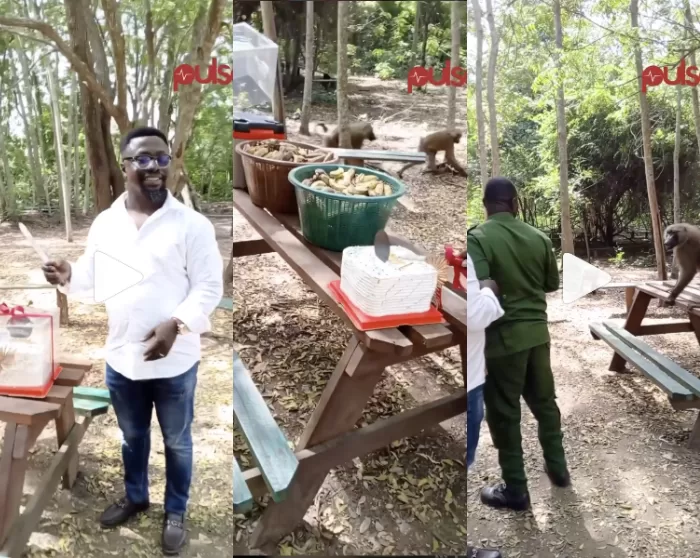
x,y
646,141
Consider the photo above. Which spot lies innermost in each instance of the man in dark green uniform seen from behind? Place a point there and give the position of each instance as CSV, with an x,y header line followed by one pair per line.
x,y
519,258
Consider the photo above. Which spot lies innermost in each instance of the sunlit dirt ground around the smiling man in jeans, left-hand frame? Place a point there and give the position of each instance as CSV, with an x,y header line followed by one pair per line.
x,y
69,526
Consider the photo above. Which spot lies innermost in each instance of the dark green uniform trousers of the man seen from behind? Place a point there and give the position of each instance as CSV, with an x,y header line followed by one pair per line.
x,y
528,374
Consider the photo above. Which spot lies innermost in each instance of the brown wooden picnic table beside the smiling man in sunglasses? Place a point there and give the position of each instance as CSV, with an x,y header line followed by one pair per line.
x,y
24,420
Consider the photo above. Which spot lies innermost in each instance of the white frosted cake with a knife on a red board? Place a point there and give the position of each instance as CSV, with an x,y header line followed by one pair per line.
x,y
404,284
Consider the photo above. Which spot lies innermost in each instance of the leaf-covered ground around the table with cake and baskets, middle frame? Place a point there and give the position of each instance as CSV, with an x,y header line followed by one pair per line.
x,y
408,499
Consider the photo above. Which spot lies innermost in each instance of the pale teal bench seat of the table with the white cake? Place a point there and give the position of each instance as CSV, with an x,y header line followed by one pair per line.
x,y
268,445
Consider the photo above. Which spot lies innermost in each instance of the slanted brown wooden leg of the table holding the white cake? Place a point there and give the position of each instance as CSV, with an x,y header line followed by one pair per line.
x,y
339,409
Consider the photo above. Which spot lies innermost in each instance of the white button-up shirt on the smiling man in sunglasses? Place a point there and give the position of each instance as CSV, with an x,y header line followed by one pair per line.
x,y
177,253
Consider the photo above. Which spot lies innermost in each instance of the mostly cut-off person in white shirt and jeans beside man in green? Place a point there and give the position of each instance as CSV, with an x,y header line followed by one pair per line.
x,y
482,309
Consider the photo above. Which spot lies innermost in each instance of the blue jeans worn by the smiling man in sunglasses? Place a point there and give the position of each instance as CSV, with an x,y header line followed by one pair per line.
x,y
173,399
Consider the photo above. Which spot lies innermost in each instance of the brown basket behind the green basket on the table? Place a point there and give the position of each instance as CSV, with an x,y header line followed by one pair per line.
x,y
267,179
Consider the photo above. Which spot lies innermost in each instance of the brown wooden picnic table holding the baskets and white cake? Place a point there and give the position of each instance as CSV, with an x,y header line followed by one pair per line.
x,y
330,438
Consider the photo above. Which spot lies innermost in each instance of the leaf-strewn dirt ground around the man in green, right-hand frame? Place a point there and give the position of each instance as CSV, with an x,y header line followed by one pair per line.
x,y
635,483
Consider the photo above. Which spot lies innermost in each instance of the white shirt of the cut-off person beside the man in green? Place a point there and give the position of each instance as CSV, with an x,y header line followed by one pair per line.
x,y
482,309
